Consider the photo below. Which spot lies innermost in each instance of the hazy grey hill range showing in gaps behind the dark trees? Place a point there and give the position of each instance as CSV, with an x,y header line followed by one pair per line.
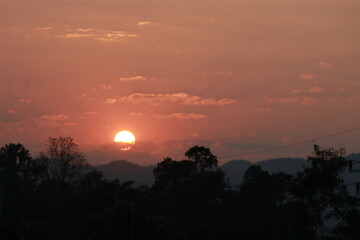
x,y
234,169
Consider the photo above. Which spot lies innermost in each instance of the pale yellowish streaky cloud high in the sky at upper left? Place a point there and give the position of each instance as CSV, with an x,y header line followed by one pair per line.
x,y
98,34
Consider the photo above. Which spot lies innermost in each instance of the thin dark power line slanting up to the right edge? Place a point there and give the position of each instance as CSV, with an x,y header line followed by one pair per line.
x,y
294,144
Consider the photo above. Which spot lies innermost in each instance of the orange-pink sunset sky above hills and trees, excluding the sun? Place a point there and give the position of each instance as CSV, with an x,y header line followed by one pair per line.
x,y
234,76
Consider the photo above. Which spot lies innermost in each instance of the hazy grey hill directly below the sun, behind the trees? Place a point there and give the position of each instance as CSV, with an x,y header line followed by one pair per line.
x,y
127,171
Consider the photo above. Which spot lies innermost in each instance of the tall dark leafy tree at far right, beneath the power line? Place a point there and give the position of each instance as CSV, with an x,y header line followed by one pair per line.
x,y
321,187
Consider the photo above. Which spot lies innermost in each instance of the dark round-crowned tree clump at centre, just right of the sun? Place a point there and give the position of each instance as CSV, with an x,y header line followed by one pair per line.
x,y
195,178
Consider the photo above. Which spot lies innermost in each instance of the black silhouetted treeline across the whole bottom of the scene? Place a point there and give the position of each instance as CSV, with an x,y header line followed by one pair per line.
x,y
58,195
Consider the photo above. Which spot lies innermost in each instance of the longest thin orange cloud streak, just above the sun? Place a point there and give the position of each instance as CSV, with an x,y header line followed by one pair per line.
x,y
175,98
